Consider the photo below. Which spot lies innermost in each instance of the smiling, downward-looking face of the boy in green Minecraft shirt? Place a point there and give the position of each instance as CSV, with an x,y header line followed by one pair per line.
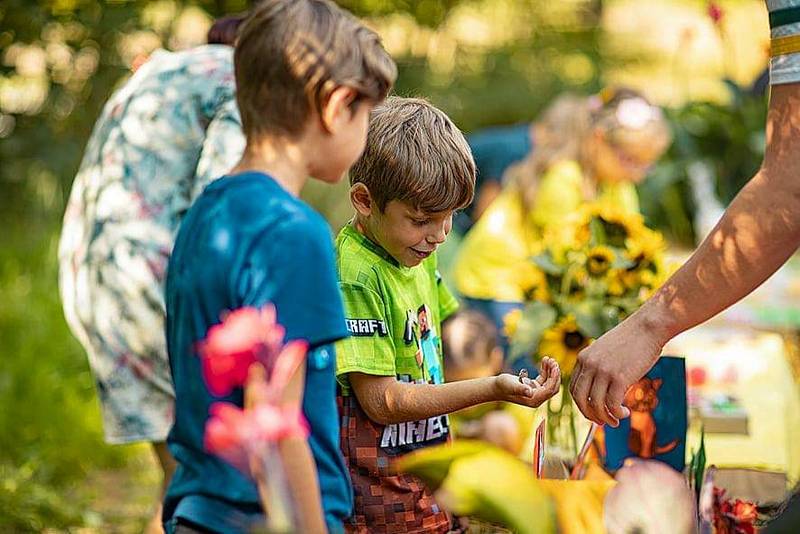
x,y
408,234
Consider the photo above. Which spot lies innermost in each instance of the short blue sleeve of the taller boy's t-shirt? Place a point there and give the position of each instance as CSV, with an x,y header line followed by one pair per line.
x,y
292,266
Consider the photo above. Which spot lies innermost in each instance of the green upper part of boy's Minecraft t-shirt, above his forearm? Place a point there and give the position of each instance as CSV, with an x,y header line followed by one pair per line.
x,y
394,313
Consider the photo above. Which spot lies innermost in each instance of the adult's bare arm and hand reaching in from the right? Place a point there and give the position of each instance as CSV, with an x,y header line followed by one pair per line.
x,y
757,234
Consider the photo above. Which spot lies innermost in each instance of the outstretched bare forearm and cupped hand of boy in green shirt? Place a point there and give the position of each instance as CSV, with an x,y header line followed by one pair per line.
x,y
386,400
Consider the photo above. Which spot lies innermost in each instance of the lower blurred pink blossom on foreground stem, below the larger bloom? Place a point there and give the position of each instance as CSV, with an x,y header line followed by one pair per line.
x,y
235,435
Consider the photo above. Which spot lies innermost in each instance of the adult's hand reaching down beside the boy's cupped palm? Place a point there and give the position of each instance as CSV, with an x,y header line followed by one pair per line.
x,y
609,366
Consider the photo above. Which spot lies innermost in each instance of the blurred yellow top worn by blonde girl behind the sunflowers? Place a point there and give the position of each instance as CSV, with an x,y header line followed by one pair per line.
x,y
493,262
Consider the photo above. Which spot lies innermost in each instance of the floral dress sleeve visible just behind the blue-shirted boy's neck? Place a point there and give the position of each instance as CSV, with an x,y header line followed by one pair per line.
x,y
222,148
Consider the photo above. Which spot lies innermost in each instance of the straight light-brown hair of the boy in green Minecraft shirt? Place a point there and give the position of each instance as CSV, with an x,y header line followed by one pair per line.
x,y
415,154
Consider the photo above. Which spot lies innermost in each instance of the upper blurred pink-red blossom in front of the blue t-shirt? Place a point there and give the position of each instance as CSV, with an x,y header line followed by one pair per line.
x,y
245,335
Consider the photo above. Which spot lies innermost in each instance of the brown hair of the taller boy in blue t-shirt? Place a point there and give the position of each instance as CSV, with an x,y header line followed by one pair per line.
x,y
292,54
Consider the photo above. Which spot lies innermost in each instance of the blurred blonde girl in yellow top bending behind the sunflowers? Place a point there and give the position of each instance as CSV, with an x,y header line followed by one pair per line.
x,y
587,149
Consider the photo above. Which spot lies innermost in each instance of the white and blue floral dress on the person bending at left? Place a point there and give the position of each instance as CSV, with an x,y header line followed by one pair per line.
x,y
168,131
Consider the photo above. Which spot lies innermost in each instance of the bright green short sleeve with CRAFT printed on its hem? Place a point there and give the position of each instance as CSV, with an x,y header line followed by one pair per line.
x,y
370,348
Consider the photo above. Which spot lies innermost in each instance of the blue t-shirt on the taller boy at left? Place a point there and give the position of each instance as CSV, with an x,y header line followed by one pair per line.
x,y
246,242
